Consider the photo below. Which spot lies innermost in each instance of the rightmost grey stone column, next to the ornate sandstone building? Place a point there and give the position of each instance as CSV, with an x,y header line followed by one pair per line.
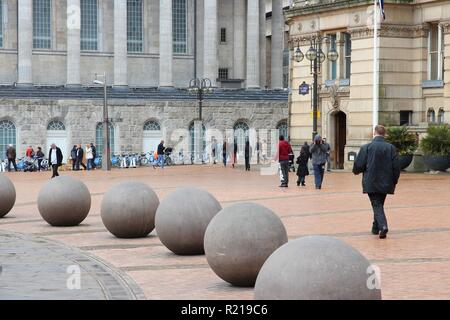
x,y
277,44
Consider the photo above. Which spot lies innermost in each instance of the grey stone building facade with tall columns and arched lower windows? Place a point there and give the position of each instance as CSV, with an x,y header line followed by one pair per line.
x,y
52,50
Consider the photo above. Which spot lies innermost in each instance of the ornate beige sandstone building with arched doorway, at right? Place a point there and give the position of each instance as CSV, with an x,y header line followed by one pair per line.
x,y
414,87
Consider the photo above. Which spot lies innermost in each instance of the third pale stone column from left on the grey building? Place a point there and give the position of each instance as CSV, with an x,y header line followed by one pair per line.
x,y
120,44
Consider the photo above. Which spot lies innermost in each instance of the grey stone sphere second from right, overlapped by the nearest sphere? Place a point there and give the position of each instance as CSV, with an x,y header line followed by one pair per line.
x,y
239,240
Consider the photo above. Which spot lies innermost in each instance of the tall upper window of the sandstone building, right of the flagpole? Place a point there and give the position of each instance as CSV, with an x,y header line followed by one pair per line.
x,y
435,52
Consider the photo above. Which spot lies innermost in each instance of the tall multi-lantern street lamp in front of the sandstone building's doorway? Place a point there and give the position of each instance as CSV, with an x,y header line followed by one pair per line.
x,y
316,56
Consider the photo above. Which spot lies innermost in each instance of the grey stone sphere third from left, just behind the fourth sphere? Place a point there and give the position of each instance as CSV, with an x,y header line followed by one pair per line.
x,y
128,210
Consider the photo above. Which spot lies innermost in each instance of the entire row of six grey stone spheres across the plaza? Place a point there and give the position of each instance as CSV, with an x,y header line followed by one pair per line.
x,y
245,244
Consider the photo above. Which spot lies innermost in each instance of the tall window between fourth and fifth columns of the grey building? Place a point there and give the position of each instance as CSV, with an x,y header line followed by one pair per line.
x,y
179,12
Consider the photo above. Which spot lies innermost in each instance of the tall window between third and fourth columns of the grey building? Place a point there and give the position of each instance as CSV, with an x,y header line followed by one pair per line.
x,y
134,26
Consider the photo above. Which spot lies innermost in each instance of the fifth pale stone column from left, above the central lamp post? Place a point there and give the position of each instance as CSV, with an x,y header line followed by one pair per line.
x,y
210,59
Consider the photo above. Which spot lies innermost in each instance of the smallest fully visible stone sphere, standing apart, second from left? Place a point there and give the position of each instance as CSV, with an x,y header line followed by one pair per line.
x,y
64,201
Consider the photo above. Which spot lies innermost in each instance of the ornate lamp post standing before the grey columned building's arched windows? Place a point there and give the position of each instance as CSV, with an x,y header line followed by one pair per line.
x,y
200,87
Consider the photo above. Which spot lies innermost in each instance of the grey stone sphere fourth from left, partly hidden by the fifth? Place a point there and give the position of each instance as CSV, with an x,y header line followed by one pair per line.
x,y
182,219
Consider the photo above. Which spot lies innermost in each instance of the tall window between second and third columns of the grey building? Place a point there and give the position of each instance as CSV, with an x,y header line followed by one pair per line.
x,y
89,25
